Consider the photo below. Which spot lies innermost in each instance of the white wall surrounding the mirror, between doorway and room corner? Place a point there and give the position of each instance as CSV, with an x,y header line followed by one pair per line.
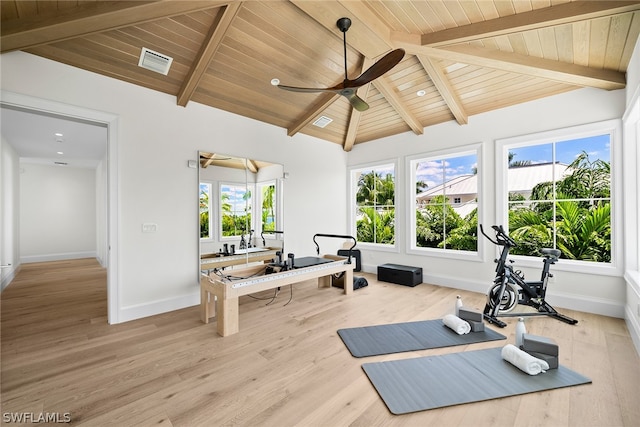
x,y
159,271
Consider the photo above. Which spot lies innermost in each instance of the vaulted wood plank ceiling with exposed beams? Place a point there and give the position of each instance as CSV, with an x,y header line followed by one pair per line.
x,y
462,57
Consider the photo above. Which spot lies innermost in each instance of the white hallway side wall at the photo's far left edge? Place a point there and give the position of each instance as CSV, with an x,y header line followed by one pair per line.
x,y
9,208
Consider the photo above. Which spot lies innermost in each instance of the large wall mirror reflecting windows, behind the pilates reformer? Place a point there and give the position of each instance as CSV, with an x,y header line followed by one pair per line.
x,y
240,210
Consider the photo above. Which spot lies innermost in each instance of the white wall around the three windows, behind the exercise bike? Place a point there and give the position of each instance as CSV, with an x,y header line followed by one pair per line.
x,y
588,292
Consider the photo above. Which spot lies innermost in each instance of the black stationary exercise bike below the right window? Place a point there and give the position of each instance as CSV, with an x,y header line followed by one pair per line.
x,y
510,288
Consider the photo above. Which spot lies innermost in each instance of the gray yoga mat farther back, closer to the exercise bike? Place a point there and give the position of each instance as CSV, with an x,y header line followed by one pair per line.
x,y
409,336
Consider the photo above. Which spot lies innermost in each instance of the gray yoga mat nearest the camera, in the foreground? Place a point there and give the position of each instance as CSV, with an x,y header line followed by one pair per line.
x,y
430,382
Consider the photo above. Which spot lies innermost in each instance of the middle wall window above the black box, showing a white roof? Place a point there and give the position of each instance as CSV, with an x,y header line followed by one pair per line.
x,y
444,202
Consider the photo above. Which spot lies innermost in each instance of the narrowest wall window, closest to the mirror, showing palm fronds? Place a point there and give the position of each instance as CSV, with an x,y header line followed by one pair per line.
x,y
374,204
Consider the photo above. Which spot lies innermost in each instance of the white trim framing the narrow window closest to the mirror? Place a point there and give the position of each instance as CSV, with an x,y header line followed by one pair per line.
x,y
353,189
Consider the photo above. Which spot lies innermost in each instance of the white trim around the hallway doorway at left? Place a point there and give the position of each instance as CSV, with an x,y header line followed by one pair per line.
x,y
111,122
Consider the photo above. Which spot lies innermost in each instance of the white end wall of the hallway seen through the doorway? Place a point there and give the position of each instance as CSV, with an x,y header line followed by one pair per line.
x,y
57,213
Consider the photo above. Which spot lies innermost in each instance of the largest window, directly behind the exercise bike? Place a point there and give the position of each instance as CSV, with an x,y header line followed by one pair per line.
x,y
558,193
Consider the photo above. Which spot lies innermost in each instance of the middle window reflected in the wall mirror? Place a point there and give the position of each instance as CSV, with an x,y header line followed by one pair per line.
x,y
235,210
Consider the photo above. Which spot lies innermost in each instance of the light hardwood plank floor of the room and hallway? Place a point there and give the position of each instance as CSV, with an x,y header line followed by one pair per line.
x,y
286,367
